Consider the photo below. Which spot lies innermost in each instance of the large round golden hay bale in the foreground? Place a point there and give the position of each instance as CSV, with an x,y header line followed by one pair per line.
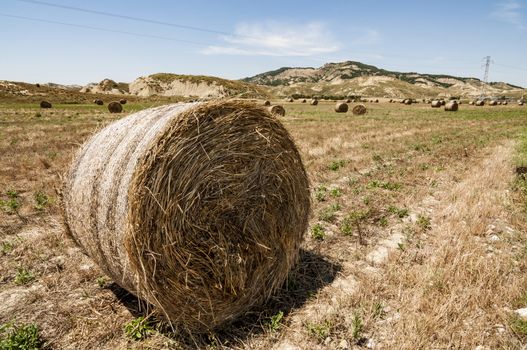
x,y
198,208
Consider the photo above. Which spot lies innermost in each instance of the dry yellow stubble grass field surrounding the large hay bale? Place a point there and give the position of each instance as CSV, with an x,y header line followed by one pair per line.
x,y
400,252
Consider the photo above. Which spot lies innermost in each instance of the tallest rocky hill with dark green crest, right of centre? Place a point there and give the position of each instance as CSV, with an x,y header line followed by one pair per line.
x,y
355,78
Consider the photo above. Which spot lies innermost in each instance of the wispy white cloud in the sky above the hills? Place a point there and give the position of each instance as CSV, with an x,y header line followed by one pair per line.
x,y
274,38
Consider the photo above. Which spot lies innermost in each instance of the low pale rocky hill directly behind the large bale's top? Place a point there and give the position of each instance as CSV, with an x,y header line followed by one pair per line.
x,y
166,84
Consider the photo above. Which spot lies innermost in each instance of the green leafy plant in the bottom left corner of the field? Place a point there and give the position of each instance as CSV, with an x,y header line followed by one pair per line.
x,y
19,337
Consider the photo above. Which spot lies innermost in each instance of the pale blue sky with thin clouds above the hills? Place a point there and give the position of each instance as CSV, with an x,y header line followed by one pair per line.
x,y
235,39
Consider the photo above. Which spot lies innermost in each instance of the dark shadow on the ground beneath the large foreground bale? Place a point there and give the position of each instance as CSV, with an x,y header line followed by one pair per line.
x,y
312,272
